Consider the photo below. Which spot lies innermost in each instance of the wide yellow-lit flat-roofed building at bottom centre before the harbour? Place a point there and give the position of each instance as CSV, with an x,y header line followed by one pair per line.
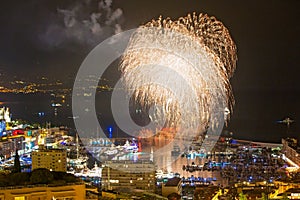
x,y
128,174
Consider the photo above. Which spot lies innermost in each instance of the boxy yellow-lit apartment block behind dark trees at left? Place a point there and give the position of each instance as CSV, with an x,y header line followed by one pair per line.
x,y
52,159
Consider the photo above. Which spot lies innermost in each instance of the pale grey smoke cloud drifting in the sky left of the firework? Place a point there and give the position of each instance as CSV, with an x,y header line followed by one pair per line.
x,y
83,24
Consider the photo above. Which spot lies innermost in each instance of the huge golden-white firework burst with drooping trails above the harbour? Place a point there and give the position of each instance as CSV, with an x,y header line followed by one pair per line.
x,y
181,69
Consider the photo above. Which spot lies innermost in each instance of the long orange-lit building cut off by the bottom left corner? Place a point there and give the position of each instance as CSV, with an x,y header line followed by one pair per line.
x,y
71,192
